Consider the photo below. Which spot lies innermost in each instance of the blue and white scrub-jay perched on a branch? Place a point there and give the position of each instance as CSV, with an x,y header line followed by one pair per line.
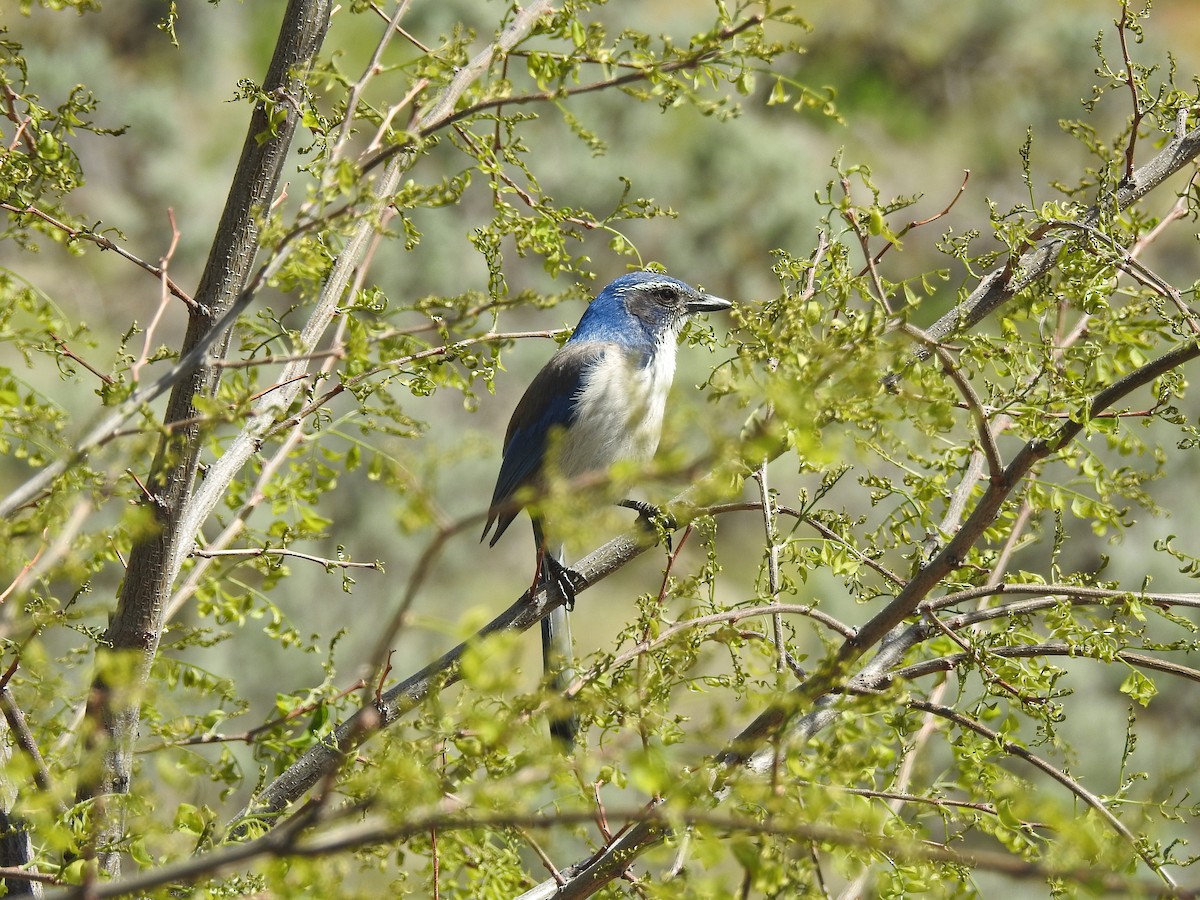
x,y
602,398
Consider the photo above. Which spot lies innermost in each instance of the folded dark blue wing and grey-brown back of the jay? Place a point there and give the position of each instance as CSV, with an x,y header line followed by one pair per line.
x,y
549,403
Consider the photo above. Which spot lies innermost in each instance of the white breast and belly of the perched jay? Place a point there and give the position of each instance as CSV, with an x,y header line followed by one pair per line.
x,y
620,411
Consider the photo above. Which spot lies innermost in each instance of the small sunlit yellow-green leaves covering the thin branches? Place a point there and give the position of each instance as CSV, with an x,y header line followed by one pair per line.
x,y
877,459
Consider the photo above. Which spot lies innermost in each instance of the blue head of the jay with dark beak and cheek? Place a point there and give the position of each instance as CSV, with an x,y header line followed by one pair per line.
x,y
644,308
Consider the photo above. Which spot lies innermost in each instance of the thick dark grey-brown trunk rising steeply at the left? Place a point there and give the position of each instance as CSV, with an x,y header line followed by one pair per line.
x,y
136,626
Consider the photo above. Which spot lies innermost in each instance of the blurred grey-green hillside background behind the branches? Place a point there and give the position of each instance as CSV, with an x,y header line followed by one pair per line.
x,y
927,91
